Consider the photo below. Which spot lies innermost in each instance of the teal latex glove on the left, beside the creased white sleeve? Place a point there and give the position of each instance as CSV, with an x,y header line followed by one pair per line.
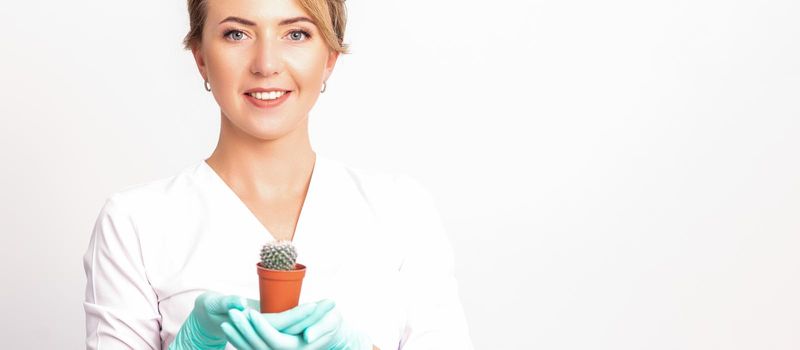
x,y
201,330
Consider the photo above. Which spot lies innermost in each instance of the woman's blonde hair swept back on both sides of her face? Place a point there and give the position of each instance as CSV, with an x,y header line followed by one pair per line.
x,y
330,16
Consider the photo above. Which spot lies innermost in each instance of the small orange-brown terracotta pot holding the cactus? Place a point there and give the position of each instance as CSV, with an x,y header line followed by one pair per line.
x,y
280,290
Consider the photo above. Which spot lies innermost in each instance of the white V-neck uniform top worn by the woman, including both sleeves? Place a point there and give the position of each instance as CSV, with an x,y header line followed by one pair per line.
x,y
371,241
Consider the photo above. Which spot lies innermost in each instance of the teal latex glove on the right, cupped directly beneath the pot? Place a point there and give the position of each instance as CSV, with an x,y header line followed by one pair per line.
x,y
323,329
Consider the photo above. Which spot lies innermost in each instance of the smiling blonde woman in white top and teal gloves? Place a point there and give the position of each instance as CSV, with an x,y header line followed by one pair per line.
x,y
171,262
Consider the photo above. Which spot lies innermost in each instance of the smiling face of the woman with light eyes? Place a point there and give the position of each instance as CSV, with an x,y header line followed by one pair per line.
x,y
237,57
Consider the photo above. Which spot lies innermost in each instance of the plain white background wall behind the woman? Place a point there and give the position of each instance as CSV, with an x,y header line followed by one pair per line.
x,y
612,174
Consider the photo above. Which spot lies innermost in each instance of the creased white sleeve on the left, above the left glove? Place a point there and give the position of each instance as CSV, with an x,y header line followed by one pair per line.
x,y
121,306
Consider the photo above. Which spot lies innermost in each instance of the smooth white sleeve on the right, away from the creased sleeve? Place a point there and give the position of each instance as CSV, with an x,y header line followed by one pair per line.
x,y
435,317
